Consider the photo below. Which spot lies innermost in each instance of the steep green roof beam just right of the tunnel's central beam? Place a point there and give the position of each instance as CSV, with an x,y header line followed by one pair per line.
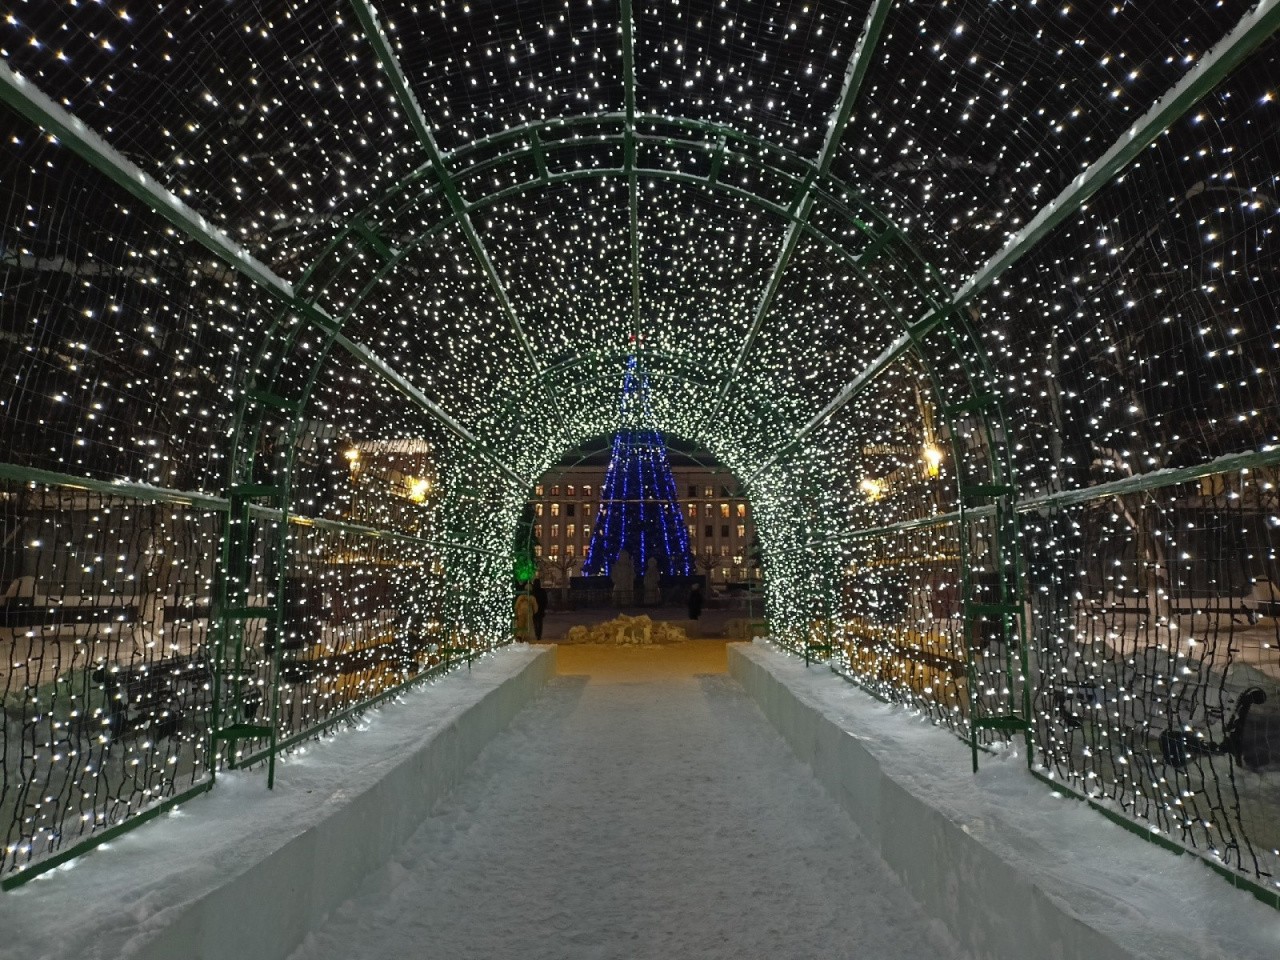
x,y
802,208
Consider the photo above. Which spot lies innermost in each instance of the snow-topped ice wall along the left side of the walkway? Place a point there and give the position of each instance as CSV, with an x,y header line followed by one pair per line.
x,y
245,872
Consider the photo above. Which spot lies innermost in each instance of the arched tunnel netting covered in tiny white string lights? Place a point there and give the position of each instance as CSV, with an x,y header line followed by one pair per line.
x,y
977,299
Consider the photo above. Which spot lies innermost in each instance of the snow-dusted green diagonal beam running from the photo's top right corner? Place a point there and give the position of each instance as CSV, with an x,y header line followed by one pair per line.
x,y
1254,29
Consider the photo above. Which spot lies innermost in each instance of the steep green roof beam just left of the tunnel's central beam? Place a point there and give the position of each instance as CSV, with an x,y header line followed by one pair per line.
x,y
378,40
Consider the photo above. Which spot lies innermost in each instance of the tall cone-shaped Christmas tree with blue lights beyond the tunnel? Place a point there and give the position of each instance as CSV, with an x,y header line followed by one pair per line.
x,y
639,511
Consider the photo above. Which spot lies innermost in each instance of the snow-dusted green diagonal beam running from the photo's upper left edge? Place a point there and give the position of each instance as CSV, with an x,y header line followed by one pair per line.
x,y
28,100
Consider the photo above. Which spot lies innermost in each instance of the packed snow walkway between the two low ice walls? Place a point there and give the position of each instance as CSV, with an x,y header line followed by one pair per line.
x,y
644,810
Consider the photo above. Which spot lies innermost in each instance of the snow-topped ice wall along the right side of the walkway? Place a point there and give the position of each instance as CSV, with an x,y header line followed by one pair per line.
x,y
1013,868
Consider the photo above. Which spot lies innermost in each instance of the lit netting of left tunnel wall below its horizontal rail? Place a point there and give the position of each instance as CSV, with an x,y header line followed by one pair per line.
x,y
116,683
